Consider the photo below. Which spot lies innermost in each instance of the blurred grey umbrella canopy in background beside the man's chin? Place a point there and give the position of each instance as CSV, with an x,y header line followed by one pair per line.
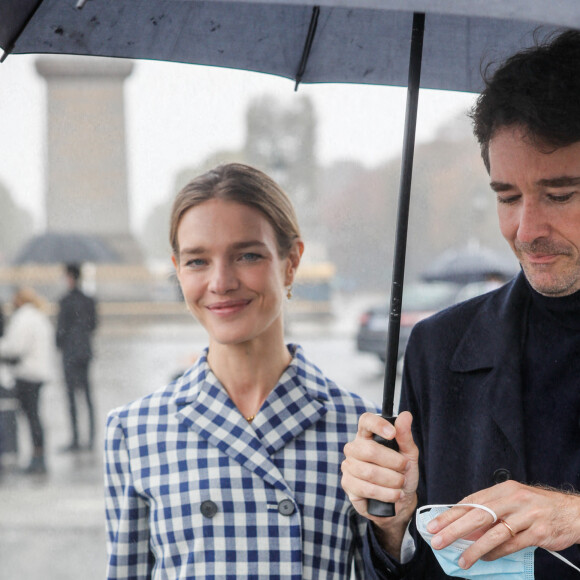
x,y
469,264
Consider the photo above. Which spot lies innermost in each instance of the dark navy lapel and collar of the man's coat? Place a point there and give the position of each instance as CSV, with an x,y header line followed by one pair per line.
x,y
483,347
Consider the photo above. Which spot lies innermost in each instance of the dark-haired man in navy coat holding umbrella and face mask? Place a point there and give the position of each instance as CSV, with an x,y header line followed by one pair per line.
x,y
490,396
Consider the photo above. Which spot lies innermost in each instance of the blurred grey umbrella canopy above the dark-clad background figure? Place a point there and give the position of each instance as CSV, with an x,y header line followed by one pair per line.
x,y
53,248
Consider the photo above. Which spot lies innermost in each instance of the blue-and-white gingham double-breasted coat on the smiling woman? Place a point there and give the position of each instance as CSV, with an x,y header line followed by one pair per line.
x,y
195,491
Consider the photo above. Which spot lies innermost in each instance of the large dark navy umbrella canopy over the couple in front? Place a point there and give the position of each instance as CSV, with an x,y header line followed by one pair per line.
x,y
352,41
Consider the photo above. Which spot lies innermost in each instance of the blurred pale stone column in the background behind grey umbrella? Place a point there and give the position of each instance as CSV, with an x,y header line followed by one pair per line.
x,y
86,158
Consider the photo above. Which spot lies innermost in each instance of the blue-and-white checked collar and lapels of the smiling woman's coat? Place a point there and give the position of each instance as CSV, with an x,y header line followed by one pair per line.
x,y
297,402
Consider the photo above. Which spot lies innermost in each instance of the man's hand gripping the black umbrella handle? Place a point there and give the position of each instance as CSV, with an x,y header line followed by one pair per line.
x,y
371,470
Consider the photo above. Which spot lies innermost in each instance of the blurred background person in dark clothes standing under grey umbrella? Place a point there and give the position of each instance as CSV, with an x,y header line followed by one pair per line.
x,y
77,320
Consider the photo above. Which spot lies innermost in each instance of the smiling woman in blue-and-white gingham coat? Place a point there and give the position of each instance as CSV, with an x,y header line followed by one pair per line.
x,y
232,471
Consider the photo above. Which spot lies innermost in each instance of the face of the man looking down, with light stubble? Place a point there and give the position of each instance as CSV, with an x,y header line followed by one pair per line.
x,y
538,204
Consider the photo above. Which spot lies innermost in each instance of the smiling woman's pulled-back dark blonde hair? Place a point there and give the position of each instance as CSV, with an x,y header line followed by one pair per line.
x,y
242,184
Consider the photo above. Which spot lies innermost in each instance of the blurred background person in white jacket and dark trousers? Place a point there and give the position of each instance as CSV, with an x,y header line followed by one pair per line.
x,y
28,347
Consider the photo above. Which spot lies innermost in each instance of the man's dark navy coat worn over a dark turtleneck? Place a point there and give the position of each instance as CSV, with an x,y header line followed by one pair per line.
x,y
463,384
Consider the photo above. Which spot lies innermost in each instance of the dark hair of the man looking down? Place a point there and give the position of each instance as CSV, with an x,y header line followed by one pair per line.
x,y
537,89
